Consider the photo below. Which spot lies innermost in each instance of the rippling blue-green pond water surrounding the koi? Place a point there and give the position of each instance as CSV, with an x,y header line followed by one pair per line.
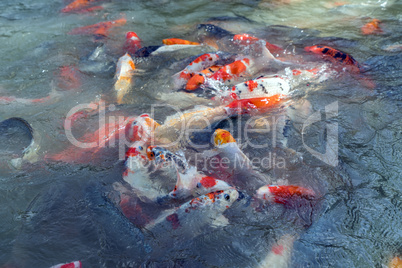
x,y
61,211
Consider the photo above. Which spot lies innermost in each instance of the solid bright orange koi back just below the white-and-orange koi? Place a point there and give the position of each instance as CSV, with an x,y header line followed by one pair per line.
x,y
254,105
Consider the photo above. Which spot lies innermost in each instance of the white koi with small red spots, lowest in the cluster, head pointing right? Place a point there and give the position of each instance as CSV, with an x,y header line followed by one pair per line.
x,y
191,217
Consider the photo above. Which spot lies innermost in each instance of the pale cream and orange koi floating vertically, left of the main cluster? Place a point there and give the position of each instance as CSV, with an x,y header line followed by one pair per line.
x,y
124,73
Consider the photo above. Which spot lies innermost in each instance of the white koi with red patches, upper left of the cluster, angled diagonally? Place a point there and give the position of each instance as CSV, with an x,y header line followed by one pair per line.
x,y
200,63
